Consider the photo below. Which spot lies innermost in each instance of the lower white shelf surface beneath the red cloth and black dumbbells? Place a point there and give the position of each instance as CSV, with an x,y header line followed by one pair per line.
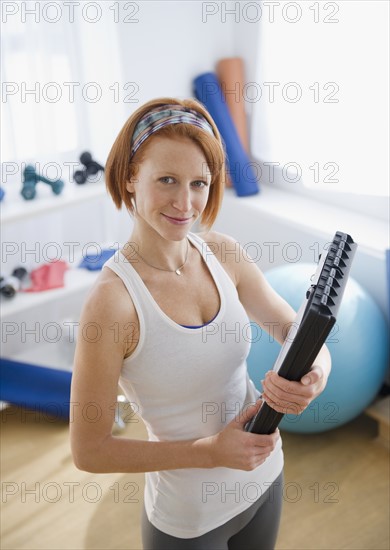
x,y
75,280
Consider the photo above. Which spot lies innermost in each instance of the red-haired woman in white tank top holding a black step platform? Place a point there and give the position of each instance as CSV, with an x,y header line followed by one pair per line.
x,y
172,308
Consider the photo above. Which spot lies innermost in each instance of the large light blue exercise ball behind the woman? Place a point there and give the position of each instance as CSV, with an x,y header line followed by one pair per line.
x,y
358,344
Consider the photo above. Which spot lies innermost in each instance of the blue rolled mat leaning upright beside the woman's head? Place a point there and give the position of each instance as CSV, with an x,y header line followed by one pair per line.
x,y
240,167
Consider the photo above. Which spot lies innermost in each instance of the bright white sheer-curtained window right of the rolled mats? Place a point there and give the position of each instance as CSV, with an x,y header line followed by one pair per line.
x,y
320,101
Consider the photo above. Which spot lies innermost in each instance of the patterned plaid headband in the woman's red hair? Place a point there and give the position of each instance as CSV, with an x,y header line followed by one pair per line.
x,y
163,116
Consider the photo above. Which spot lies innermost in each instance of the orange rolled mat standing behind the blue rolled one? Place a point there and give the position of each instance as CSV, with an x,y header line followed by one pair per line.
x,y
231,76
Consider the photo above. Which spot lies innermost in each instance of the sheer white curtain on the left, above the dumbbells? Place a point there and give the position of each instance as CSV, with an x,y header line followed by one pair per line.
x,y
57,69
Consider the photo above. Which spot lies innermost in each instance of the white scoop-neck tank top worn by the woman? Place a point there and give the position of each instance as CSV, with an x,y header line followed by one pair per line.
x,y
188,383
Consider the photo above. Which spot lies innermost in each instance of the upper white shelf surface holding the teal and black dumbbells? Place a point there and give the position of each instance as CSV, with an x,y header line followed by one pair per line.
x,y
15,208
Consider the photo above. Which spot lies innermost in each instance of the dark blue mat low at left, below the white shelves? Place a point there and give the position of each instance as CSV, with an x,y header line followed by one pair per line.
x,y
39,388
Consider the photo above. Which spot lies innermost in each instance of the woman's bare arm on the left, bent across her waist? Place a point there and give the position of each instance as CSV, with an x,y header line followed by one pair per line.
x,y
98,362
